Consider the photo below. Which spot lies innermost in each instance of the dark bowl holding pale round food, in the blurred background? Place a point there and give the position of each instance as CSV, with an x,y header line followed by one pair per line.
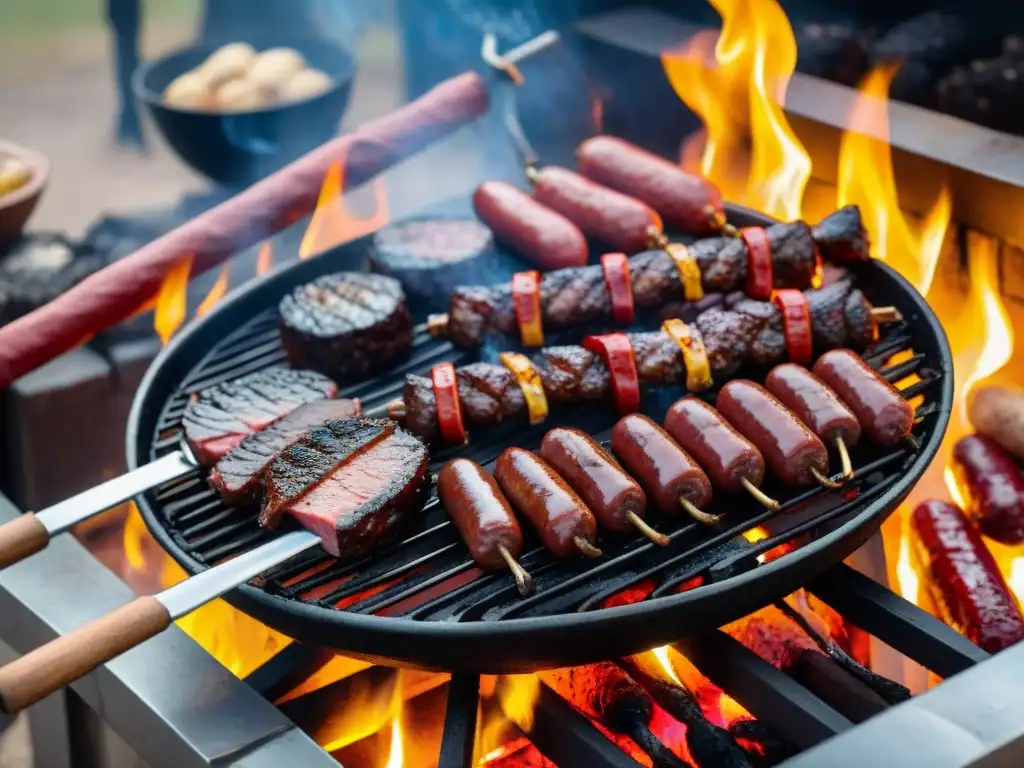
x,y
238,149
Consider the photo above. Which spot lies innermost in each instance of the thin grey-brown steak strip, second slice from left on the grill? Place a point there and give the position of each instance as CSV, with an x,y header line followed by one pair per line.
x,y
237,477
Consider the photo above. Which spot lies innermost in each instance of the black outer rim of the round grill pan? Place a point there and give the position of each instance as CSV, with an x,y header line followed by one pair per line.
x,y
525,645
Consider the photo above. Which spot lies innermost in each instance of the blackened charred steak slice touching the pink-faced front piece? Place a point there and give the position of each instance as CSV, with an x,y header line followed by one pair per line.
x,y
306,463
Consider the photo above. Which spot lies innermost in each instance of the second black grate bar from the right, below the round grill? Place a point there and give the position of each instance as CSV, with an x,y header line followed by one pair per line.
x,y
771,696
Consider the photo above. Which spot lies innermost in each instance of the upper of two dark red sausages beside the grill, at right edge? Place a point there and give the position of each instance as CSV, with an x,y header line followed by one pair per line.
x,y
993,488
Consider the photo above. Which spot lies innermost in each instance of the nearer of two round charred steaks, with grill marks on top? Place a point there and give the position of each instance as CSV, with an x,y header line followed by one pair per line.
x,y
347,325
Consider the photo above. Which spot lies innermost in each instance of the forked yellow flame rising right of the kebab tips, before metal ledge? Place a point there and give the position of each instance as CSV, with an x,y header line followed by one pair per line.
x,y
867,180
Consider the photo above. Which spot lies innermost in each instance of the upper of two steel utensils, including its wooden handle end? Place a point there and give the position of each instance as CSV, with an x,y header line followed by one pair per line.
x,y
33,531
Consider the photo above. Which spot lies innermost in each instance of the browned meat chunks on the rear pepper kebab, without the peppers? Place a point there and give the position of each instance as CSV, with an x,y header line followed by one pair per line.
x,y
576,296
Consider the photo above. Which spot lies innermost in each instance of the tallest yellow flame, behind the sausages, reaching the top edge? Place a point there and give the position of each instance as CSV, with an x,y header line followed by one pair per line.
x,y
750,150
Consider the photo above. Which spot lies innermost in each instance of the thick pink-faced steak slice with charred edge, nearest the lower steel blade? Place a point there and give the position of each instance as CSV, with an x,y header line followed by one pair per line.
x,y
368,498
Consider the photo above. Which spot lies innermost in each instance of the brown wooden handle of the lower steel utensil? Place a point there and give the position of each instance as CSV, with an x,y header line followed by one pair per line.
x,y
64,661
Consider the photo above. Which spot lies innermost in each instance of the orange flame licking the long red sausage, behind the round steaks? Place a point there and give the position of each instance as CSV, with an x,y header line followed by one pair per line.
x,y
332,223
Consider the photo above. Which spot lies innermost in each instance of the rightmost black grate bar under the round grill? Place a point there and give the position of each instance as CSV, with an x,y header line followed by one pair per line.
x,y
907,628
